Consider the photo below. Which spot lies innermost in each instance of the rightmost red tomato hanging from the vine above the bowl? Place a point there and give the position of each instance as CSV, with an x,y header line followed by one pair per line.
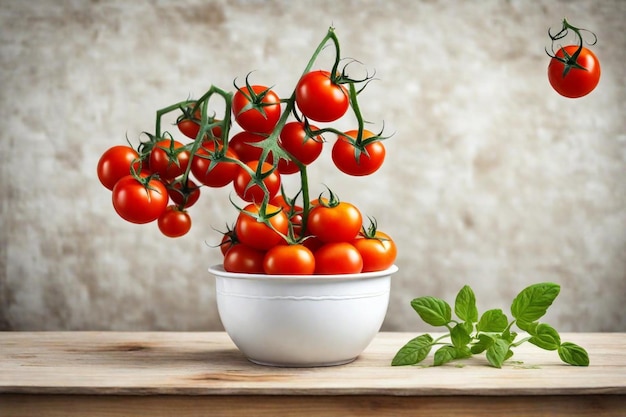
x,y
344,156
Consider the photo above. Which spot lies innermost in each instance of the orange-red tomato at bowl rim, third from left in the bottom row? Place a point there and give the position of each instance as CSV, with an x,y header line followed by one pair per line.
x,y
338,258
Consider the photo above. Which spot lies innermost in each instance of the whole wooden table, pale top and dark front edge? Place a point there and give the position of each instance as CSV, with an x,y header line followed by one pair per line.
x,y
193,374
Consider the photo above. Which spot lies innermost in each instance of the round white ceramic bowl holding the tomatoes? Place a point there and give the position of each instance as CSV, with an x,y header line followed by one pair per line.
x,y
302,321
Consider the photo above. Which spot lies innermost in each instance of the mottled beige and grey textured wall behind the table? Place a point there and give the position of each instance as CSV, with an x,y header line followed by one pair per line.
x,y
492,179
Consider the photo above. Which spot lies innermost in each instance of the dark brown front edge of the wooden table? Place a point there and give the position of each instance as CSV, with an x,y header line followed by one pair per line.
x,y
321,406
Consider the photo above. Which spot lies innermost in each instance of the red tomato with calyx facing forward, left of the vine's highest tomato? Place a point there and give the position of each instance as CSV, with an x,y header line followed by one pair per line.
x,y
257,110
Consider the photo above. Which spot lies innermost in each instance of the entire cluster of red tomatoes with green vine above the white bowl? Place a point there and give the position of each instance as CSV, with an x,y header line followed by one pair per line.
x,y
273,233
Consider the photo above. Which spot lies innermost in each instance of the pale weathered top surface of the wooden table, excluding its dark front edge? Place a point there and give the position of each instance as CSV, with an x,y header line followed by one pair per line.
x,y
158,363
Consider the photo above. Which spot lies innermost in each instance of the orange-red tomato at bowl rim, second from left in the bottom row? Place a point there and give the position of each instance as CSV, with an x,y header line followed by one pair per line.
x,y
289,260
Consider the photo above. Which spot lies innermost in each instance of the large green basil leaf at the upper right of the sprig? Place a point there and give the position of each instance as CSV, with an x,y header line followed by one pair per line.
x,y
533,302
